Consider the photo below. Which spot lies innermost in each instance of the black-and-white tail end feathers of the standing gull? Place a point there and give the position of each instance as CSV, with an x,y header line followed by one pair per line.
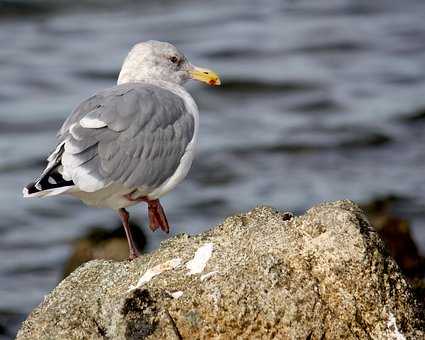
x,y
51,181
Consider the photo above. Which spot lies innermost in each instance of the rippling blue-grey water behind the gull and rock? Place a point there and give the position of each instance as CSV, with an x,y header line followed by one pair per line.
x,y
322,100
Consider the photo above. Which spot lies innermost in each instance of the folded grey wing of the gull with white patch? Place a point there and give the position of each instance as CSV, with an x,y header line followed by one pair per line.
x,y
133,134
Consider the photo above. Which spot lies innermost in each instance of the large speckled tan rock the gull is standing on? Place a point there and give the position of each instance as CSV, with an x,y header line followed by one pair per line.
x,y
322,275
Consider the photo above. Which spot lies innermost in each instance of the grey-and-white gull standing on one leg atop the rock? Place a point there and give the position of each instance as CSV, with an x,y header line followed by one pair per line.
x,y
130,143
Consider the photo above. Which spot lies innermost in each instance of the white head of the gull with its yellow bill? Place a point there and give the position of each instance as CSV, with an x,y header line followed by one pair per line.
x,y
156,60
